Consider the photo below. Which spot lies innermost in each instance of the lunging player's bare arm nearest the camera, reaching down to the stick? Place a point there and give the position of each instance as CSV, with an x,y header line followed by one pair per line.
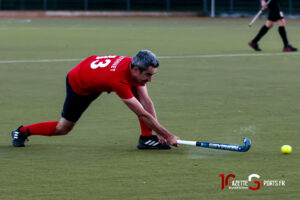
x,y
151,121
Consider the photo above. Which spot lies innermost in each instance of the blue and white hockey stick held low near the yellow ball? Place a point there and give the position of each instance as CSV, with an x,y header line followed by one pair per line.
x,y
228,147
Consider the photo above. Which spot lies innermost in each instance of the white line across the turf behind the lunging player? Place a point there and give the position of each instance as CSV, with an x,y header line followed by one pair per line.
x,y
160,57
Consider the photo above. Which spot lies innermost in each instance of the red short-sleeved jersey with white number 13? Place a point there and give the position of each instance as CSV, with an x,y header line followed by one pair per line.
x,y
98,74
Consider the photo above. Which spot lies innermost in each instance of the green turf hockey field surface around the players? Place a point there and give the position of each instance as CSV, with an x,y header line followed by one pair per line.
x,y
214,99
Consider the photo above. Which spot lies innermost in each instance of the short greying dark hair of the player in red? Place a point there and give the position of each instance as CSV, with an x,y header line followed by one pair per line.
x,y
144,59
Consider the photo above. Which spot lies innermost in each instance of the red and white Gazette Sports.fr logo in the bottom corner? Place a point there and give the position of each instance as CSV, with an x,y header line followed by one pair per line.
x,y
252,183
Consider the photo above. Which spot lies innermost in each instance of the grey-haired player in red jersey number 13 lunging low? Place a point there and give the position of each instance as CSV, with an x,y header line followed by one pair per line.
x,y
96,74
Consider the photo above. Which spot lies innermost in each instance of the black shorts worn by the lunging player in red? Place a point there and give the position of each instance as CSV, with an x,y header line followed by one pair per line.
x,y
76,104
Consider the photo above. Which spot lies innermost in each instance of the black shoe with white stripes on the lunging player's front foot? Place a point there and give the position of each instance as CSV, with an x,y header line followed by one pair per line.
x,y
151,142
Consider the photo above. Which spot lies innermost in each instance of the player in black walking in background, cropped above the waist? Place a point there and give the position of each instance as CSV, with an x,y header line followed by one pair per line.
x,y
275,15
